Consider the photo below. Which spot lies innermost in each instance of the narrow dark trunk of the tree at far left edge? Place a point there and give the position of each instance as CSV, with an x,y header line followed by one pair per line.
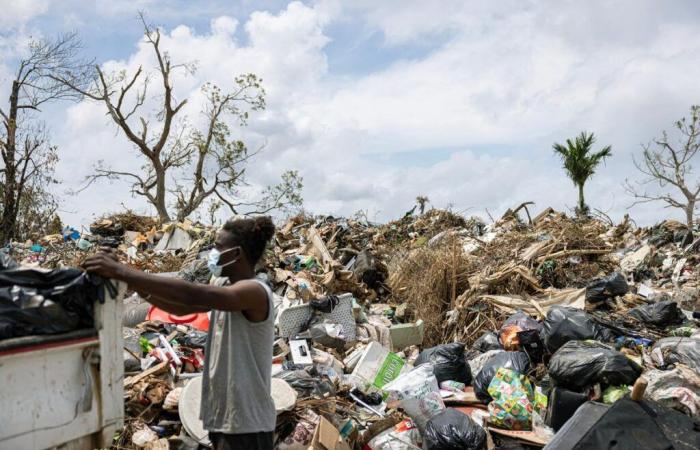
x,y
8,221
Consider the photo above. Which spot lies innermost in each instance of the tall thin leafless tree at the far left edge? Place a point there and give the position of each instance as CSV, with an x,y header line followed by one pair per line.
x,y
27,157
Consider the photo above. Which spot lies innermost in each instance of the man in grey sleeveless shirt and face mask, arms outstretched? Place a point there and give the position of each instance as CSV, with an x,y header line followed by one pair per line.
x,y
237,409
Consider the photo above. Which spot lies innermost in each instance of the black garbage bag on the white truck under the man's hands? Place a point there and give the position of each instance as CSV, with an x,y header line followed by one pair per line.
x,y
34,302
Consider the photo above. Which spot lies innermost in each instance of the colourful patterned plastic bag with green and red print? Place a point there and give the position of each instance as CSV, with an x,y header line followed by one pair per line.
x,y
513,399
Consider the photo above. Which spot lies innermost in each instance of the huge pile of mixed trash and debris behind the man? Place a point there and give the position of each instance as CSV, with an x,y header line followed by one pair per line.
x,y
437,331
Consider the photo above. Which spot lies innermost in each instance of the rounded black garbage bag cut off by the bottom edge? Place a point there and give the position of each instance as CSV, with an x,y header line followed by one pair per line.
x,y
453,430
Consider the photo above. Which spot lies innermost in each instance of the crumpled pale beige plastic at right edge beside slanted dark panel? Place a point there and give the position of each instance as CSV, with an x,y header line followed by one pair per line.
x,y
678,389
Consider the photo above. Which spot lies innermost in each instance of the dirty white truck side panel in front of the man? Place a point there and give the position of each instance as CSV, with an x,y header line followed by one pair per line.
x,y
66,392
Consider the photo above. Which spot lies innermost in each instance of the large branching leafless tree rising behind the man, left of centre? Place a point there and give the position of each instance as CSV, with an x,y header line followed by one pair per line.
x,y
183,162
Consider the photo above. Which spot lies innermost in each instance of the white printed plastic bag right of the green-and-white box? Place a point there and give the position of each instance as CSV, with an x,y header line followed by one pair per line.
x,y
417,393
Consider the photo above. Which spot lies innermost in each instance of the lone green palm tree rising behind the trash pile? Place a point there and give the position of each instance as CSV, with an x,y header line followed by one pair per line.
x,y
580,163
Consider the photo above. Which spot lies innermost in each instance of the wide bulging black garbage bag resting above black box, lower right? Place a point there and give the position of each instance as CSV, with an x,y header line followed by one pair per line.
x,y
581,364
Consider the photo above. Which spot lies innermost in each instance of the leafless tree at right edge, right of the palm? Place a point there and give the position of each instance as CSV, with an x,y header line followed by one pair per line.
x,y
667,164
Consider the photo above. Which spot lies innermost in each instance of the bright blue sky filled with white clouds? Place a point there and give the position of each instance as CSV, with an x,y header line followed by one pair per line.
x,y
376,102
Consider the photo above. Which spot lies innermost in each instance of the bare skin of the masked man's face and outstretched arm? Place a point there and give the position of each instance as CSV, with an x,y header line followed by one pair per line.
x,y
180,297
